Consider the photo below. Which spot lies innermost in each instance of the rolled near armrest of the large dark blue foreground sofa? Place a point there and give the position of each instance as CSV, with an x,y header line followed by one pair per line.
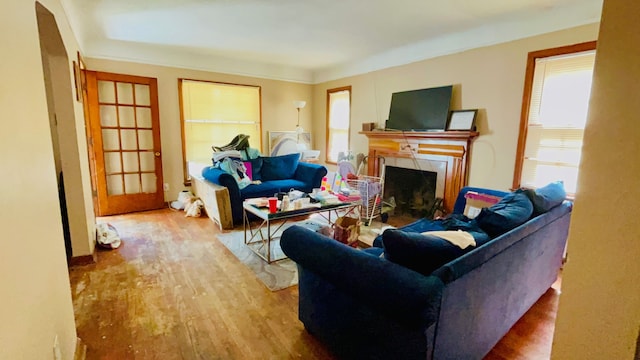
x,y
376,282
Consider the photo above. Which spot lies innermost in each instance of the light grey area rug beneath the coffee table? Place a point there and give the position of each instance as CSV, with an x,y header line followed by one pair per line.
x,y
275,276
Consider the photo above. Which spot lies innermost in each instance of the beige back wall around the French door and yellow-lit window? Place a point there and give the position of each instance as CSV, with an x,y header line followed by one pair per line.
x,y
278,113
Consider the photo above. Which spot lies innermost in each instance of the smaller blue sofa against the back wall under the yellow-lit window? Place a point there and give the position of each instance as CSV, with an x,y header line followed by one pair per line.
x,y
276,174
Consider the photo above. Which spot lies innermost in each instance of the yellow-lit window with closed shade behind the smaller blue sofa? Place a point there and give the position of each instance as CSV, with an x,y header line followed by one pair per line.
x,y
213,114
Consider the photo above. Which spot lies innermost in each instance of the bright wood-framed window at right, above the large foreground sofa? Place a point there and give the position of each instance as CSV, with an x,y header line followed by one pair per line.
x,y
555,106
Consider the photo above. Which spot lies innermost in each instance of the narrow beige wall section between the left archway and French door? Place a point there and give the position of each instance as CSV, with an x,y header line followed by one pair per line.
x,y
59,49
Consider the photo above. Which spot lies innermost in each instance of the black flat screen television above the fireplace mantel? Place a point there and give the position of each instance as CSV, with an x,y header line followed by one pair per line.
x,y
420,110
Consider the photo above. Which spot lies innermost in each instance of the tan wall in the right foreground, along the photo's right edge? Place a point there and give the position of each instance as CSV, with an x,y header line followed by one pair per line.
x,y
599,311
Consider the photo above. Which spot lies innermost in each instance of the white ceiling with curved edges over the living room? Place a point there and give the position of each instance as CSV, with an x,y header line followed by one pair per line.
x,y
308,41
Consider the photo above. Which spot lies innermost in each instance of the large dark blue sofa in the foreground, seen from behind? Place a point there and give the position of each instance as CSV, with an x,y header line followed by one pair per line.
x,y
362,305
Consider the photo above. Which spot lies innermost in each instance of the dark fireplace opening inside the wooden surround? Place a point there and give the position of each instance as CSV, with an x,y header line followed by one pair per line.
x,y
410,192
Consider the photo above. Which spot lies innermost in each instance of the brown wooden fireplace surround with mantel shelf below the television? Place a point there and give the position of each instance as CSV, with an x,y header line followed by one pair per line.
x,y
445,153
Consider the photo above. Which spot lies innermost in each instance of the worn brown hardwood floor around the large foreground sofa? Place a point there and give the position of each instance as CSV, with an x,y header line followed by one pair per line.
x,y
172,291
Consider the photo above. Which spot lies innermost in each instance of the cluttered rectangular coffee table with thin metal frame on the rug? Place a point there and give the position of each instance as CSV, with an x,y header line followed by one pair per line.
x,y
259,241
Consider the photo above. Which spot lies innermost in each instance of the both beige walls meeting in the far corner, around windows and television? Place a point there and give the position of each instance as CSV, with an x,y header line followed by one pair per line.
x,y
490,79
